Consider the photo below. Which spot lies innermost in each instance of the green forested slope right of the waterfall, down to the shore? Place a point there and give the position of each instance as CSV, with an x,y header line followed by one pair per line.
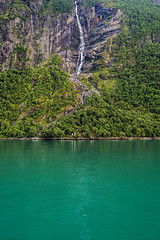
x,y
130,89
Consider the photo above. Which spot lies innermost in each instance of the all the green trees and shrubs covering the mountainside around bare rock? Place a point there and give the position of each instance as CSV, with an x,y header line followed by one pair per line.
x,y
36,102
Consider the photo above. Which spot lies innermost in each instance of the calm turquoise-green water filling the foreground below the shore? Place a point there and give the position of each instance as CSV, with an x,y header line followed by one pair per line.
x,y
84,190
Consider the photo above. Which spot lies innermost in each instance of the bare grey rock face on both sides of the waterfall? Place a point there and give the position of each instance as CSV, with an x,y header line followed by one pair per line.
x,y
28,37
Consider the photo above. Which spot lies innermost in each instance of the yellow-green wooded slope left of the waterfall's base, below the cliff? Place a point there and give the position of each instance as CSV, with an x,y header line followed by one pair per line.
x,y
31,98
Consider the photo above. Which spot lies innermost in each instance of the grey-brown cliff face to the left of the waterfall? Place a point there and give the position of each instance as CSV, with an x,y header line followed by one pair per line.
x,y
31,38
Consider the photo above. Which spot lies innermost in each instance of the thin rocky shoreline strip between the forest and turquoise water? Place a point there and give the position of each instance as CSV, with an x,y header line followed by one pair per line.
x,y
92,138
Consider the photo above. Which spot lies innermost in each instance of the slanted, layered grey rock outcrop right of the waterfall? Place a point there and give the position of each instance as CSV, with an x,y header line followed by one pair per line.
x,y
100,23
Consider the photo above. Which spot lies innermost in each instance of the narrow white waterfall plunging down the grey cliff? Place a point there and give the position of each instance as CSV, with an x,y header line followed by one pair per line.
x,y
82,43
